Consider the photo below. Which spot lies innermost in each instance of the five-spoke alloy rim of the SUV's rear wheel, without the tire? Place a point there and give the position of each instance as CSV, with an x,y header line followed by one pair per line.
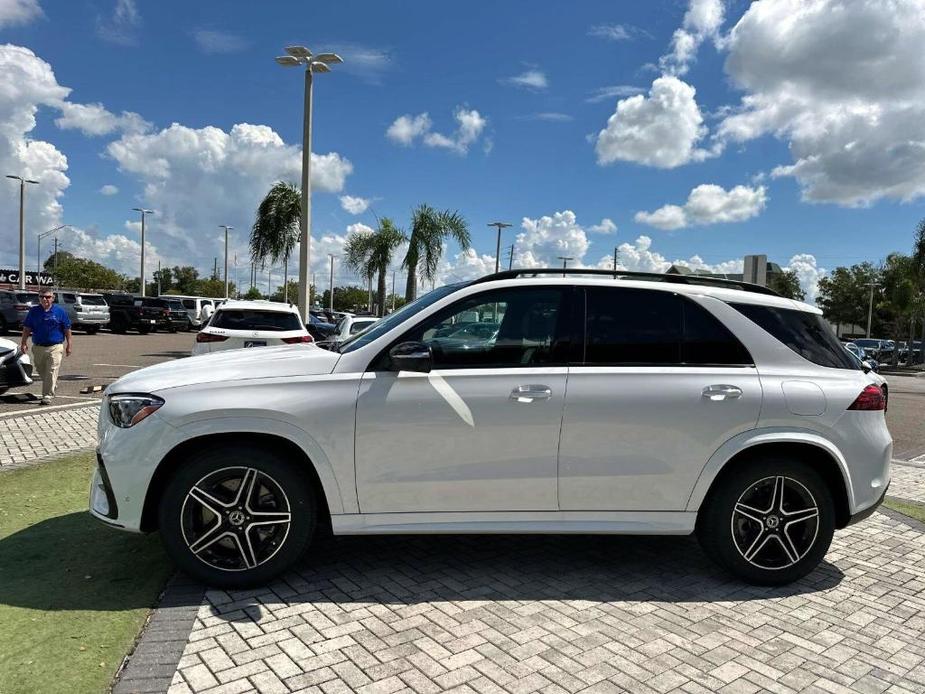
x,y
775,522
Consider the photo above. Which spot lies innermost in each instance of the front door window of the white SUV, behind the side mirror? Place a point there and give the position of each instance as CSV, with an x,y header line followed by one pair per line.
x,y
512,327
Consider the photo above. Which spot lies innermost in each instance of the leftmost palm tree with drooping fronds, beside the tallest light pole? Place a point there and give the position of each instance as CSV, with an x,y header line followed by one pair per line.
x,y
276,229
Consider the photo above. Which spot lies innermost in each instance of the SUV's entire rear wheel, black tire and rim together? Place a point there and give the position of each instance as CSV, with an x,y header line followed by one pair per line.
x,y
744,527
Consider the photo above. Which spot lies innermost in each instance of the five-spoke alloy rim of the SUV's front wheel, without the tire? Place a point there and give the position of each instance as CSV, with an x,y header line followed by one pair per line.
x,y
235,518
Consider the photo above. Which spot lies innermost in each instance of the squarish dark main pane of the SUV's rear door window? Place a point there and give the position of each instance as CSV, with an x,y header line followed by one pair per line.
x,y
632,326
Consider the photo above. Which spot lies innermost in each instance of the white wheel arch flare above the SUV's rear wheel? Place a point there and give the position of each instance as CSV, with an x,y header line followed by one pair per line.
x,y
758,437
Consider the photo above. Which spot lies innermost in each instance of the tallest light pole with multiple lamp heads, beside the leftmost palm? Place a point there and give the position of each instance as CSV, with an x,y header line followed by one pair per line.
x,y
300,55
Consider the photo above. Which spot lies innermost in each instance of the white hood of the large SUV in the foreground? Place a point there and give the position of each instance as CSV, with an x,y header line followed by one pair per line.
x,y
230,365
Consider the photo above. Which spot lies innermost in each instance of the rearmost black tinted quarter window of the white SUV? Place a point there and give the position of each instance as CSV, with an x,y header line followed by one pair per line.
x,y
807,334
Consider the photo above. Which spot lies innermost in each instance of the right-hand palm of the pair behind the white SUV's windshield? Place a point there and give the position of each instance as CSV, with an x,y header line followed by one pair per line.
x,y
429,229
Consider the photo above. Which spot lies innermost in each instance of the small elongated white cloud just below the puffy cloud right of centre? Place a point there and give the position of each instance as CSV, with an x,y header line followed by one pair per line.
x,y
708,204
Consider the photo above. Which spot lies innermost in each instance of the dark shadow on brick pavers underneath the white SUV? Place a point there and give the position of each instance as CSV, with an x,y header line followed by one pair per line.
x,y
527,567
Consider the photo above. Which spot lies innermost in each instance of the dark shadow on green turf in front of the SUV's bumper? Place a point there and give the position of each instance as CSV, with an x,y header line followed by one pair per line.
x,y
73,562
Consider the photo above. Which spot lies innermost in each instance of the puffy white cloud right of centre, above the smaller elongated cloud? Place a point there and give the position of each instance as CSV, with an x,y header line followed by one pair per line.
x,y
660,130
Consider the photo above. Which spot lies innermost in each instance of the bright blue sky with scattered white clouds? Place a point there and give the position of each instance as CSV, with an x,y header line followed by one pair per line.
x,y
697,131
